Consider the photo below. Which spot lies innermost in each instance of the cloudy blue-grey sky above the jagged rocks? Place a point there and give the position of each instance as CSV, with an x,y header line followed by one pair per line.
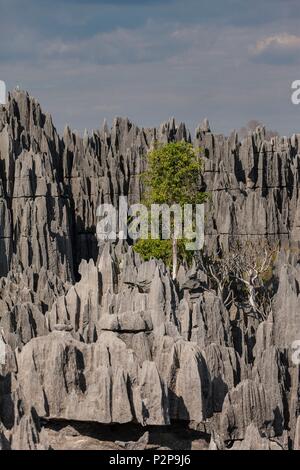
x,y
86,60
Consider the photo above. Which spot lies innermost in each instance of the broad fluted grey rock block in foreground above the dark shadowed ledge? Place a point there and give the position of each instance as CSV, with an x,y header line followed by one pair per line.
x,y
62,378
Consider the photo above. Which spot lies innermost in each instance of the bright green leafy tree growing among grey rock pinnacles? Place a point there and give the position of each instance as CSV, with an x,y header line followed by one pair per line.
x,y
173,177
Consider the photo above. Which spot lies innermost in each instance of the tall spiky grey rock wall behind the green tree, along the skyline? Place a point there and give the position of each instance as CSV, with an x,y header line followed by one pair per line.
x,y
51,185
